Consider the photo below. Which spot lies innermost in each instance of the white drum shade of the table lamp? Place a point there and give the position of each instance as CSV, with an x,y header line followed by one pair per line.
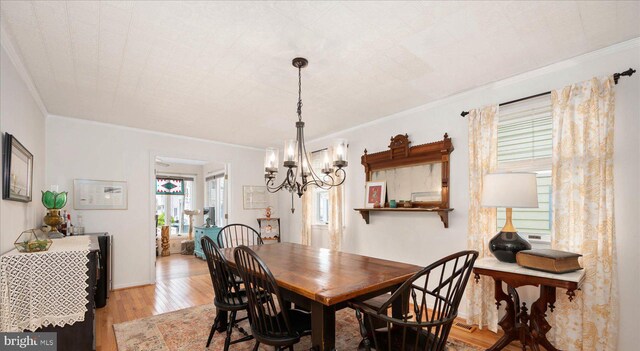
x,y
511,190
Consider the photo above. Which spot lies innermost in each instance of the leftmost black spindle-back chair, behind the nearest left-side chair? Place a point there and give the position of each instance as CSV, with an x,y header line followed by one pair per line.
x,y
229,297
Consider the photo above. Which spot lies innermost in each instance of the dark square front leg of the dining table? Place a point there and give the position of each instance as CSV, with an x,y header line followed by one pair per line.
x,y
323,327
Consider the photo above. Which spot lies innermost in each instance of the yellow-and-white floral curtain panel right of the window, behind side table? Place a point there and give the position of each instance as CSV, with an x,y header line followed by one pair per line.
x,y
583,213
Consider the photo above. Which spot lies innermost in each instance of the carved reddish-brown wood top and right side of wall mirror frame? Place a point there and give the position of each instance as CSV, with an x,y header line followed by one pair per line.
x,y
401,154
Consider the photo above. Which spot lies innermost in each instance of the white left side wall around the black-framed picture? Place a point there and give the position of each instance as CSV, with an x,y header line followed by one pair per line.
x,y
21,116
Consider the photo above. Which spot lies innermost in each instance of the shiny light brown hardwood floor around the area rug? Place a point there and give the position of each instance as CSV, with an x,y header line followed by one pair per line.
x,y
182,282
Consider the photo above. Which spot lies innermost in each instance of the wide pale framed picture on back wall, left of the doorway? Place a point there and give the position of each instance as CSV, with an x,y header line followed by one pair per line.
x,y
99,194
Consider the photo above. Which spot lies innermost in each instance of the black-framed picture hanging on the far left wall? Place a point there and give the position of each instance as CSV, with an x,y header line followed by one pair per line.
x,y
17,170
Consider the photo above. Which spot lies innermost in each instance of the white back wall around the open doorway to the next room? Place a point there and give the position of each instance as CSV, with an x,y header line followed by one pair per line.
x,y
89,150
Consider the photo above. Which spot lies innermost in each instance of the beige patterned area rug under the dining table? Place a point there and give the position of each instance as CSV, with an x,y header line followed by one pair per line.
x,y
188,329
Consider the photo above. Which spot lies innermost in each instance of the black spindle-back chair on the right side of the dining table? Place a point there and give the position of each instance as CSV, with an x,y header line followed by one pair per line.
x,y
432,295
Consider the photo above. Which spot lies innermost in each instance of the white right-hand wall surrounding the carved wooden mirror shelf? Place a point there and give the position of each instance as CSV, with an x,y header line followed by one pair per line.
x,y
421,238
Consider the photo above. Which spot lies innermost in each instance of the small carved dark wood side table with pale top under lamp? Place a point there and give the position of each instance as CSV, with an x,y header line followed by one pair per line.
x,y
530,328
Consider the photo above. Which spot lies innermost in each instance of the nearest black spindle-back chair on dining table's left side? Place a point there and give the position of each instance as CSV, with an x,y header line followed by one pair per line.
x,y
272,321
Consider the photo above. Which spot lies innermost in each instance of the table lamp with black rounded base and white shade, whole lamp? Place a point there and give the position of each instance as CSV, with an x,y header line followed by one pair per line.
x,y
510,190
